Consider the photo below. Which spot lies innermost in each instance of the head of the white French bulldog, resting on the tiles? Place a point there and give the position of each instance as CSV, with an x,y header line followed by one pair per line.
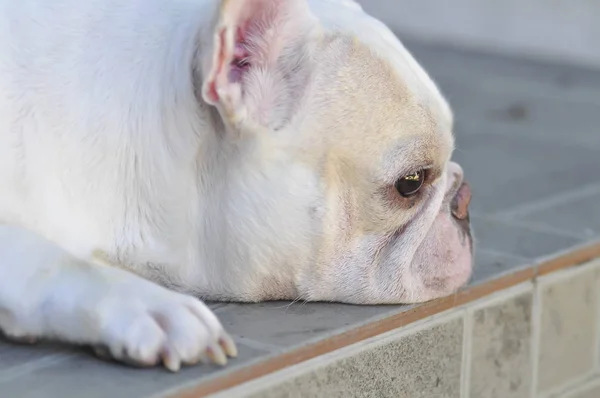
x,y
332,179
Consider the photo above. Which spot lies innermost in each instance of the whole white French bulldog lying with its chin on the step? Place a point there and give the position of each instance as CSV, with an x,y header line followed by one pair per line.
x,y
155,153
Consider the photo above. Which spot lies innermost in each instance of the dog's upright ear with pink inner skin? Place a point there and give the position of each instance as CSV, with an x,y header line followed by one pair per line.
x,y
244,77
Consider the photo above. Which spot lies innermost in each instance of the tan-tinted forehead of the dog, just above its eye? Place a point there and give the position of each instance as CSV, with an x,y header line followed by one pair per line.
x,y
384,106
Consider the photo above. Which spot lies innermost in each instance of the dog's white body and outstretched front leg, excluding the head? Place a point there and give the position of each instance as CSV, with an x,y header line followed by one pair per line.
x,y
87,116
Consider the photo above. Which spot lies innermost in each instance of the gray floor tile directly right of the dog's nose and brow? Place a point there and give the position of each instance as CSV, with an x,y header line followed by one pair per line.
x,y
520,170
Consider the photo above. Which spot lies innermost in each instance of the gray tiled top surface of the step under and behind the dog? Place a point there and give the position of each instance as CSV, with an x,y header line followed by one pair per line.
x,y
528,136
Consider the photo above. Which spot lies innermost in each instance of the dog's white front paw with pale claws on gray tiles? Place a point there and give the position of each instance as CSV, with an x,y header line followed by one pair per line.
x,y
168,327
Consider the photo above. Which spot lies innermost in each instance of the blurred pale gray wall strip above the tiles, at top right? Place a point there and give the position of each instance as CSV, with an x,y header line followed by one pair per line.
x,y
566,31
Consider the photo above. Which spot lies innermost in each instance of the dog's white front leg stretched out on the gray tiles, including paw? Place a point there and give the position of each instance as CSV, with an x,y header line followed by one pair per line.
x,y
47,293
